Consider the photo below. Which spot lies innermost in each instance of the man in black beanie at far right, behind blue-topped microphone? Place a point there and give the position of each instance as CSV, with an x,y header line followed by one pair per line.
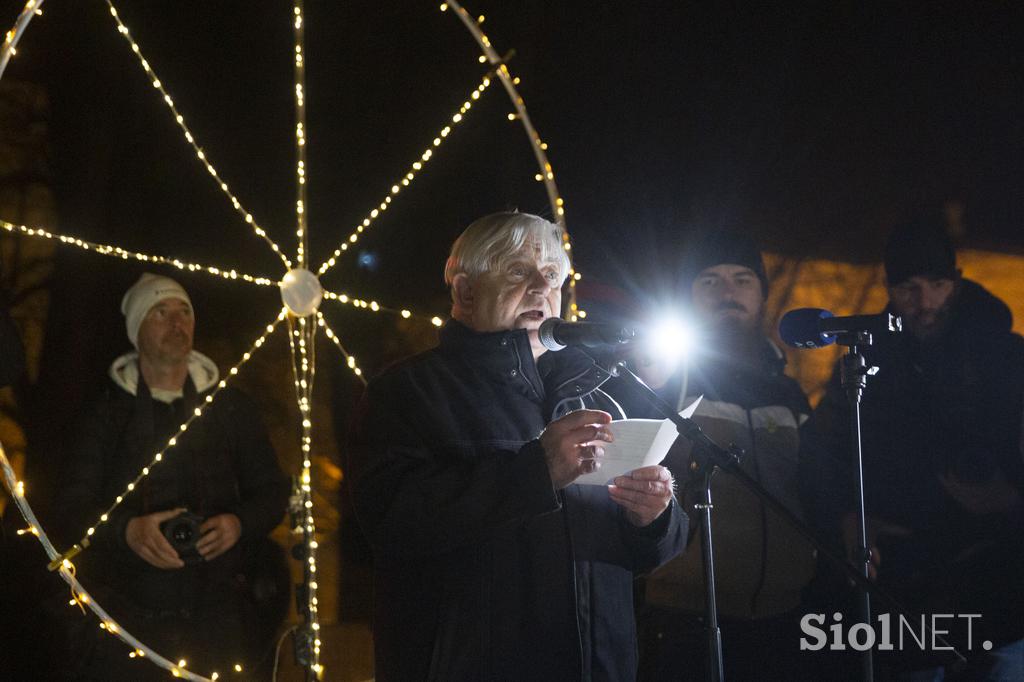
x,y
944,461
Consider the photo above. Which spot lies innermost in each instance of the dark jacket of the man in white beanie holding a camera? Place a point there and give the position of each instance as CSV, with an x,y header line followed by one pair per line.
x,y
224,463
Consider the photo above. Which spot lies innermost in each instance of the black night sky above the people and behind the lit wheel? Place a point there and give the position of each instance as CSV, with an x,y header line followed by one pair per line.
x,y
817,126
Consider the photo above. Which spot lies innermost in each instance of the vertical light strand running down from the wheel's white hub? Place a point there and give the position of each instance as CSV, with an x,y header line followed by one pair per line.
x,y
303,344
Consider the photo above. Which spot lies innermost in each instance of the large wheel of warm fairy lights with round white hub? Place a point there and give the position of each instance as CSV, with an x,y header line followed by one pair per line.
x,y
303,329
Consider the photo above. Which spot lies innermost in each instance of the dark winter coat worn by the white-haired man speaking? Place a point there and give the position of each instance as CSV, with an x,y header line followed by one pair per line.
x,y
484,572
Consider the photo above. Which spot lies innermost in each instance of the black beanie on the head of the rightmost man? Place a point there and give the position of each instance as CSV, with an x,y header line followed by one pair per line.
x,y
920,248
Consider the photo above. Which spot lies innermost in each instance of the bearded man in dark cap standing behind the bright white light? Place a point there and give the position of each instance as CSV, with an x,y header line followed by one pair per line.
x,y
762,566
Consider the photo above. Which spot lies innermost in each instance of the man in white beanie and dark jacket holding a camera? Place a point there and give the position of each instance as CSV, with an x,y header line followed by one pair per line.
x,y
190,600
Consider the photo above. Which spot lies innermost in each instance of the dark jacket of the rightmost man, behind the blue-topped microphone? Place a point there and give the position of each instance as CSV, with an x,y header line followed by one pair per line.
x,y
949,411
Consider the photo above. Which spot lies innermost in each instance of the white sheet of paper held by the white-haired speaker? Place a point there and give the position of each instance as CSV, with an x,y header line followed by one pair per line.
x,y
639,443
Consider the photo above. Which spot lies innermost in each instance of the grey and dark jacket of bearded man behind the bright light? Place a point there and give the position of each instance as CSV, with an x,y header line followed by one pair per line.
x,y
762,564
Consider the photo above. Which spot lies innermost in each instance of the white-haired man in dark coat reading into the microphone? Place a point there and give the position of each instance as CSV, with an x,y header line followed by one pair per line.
x,y
490,563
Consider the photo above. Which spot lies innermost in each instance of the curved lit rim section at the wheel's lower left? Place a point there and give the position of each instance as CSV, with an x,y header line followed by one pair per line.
x,y
67,572
